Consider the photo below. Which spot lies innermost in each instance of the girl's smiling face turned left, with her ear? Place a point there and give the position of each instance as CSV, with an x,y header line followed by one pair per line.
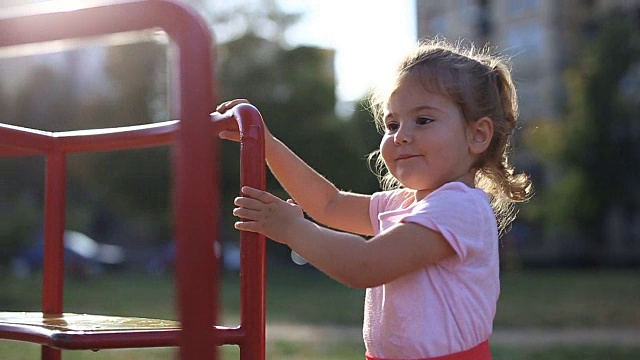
x,y
425,143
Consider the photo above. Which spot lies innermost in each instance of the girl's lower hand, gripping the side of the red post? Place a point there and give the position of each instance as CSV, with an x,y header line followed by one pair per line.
x,y
267,214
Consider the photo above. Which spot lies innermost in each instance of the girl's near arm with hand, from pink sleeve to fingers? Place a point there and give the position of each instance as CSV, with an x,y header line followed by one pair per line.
x,y
347,258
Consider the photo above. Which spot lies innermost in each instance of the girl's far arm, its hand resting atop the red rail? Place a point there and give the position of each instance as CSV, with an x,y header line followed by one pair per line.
x,y
316,195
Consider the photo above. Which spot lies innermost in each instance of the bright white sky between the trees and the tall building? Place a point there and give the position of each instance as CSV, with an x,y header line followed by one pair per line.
x,y
368,36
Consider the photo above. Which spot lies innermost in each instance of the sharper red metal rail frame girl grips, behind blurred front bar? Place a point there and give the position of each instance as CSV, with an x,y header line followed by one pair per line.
x,y
56,145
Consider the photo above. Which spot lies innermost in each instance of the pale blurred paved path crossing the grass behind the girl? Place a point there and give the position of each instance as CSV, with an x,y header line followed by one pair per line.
x,y
517,337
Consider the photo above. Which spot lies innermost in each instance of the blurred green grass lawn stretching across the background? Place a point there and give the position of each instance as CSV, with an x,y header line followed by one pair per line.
x,y
545,298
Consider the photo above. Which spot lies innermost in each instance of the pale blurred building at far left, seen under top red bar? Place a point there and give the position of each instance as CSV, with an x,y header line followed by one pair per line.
x,y
33,73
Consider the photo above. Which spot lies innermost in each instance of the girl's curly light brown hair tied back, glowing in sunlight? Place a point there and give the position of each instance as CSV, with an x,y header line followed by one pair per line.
x,y
480,84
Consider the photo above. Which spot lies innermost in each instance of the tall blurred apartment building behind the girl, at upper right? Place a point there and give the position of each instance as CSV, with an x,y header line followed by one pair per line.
x,y
543,38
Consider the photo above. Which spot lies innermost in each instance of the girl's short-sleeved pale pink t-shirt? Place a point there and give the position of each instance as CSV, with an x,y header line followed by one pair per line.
x,y
446,307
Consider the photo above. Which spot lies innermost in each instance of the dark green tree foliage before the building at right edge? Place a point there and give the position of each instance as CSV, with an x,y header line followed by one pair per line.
x,y
593,152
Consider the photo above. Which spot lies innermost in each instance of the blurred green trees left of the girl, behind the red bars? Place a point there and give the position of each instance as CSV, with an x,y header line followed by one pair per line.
x,y
292,86
